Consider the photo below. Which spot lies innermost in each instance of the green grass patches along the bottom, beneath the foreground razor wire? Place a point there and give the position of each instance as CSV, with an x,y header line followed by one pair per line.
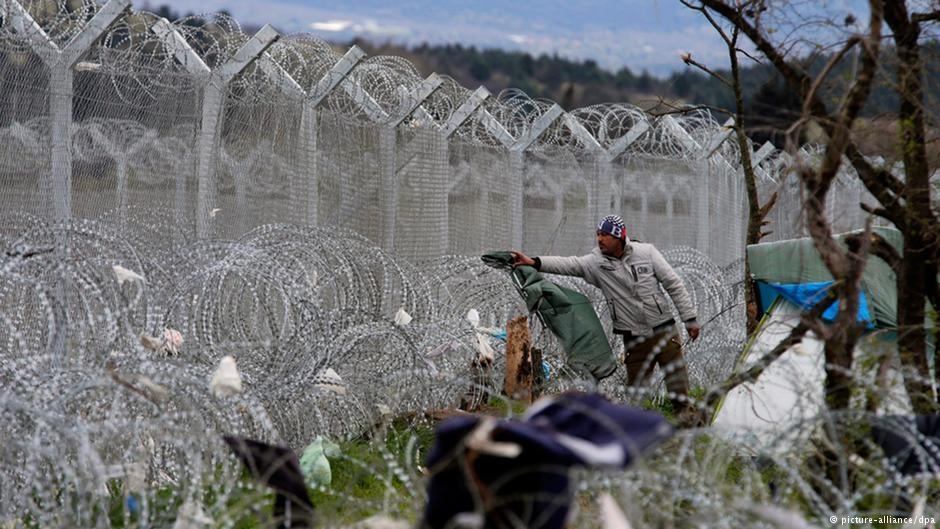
x,y
383,473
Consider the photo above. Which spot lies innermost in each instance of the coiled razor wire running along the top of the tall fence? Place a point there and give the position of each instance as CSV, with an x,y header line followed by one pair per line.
x,y
381,88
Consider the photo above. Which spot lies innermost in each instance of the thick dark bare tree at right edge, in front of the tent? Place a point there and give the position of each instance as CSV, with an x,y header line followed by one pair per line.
x,y
905,202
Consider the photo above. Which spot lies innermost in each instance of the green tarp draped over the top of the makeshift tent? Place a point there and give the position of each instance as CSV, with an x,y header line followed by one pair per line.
x,y
797,261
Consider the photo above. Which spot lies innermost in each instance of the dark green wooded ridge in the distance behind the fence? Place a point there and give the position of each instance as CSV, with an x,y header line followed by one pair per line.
x,y
580,83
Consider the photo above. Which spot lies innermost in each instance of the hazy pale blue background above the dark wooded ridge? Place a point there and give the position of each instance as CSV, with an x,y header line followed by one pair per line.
x,y
641,34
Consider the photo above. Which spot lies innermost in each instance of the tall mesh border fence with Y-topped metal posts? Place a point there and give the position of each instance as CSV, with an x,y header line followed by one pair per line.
x,y
107,112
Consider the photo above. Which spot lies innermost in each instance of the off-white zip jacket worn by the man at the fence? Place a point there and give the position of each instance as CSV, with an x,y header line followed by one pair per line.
x,y
630,285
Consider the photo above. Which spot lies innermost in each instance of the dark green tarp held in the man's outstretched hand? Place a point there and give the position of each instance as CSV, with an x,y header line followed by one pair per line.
x,y
567,313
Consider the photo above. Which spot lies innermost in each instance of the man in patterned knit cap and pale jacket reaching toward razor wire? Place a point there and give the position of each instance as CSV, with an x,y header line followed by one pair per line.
x,y
629,274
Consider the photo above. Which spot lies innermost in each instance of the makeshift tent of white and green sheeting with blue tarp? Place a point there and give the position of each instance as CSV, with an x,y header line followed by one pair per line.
x,y
772,412
